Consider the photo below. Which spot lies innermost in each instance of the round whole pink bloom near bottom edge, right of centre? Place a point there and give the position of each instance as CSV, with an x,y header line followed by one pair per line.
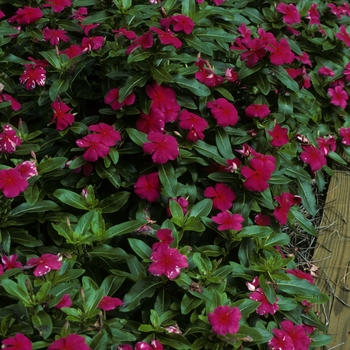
x,y
225,319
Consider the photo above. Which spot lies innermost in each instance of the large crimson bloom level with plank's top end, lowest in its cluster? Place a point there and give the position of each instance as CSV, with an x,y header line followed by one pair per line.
x,y
256,176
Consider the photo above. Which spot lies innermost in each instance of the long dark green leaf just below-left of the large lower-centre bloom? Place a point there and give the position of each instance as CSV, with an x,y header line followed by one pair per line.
x,y
144,288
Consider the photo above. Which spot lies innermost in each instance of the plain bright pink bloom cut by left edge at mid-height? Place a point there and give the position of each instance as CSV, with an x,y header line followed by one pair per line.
x,y
12,183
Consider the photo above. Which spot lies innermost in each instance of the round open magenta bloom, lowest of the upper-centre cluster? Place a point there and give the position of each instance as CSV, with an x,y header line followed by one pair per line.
x,y
162,147
